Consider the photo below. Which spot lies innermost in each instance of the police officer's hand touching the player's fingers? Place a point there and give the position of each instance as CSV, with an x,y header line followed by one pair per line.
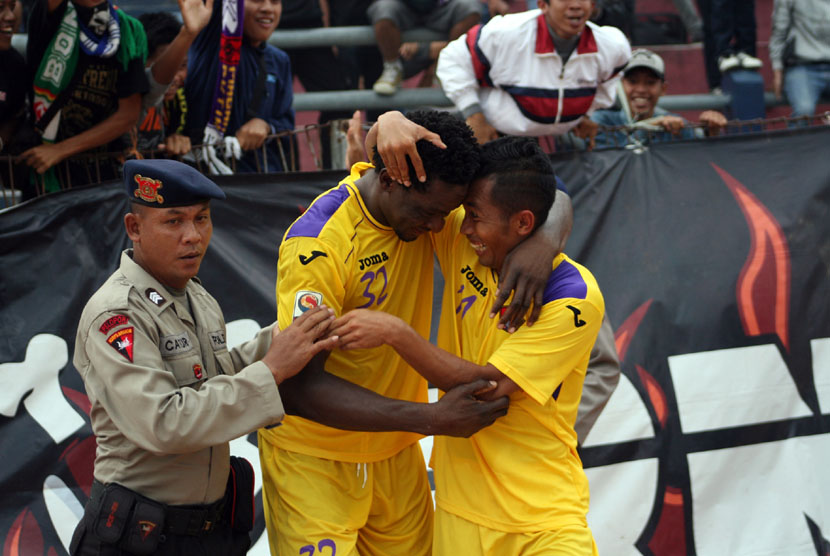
x,y
292,348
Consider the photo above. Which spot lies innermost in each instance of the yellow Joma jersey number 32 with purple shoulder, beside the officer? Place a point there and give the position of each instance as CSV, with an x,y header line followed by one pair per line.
x,y
338,254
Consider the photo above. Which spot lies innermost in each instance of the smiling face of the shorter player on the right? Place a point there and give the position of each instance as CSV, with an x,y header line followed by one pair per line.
x,y
486,226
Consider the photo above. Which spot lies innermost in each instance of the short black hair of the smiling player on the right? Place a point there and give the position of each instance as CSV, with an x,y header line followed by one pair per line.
x,y
522,175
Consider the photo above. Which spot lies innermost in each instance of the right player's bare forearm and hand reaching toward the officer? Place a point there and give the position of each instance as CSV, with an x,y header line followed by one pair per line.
x,y
362,329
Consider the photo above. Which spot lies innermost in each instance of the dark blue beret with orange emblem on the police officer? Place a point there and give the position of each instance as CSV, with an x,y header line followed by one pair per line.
x,y
164,183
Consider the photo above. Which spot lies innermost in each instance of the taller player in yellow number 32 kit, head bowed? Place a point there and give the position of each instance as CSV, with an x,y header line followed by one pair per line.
x,y
363,245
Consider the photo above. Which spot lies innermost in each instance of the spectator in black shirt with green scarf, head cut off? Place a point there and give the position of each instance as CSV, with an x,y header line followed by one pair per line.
x,y
88,62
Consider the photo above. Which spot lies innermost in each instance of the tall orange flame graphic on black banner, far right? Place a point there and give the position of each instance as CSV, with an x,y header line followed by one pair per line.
x,y
763,289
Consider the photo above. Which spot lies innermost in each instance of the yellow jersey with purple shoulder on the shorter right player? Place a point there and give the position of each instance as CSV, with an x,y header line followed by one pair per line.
x,y
522,473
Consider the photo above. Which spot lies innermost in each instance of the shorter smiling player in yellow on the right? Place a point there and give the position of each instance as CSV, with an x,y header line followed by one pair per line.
x,y
516,487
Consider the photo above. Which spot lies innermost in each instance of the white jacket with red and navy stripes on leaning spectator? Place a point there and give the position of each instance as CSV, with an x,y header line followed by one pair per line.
x,y
510,67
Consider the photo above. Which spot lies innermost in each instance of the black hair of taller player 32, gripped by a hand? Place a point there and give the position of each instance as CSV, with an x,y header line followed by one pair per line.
x,y
457,164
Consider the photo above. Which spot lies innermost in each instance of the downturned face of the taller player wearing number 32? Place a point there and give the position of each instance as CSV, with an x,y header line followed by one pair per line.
x,y
411,212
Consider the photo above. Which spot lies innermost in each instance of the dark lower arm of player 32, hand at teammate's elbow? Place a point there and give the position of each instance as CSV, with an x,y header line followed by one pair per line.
x,y
322,397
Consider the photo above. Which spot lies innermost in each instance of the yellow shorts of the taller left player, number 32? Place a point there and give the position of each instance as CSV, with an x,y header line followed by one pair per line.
x,y
321,507
